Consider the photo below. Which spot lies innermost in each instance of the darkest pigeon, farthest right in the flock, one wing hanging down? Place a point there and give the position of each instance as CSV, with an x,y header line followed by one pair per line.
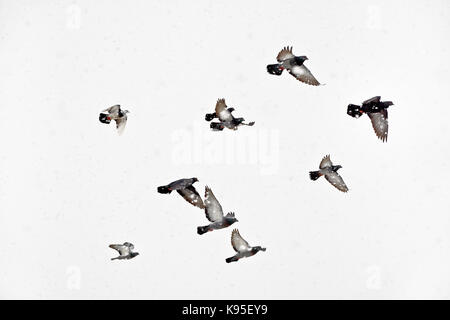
x,y
376,110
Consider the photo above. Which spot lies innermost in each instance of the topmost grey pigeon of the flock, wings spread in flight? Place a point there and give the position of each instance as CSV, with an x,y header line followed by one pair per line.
x,y
295,66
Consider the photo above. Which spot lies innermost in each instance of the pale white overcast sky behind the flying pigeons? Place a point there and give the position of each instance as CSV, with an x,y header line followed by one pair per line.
x,y
70,186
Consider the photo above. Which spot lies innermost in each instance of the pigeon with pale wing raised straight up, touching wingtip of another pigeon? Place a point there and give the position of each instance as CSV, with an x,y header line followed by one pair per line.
x,y
214,213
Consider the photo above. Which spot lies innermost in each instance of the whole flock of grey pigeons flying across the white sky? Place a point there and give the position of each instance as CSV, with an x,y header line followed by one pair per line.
x,y
375,109
